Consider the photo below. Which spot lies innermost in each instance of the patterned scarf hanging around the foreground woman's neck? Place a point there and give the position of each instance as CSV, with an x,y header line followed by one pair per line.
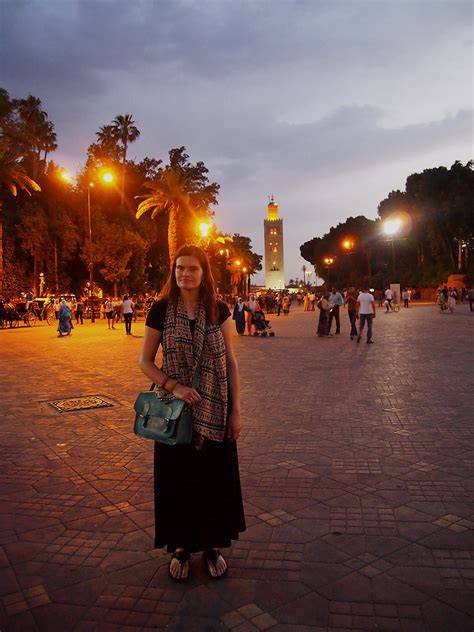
x,y
181,353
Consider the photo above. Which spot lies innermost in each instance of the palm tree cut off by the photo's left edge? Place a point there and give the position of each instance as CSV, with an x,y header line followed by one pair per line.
x,y
12,178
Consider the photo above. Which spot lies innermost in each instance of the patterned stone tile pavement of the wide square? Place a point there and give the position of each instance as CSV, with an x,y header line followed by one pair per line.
x,y
357,473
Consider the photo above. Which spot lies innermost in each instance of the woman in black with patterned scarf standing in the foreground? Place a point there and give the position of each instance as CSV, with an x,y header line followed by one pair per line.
x,y
198,501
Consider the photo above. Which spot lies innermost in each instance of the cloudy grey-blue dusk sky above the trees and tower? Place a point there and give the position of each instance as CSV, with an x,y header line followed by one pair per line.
x,y
328,105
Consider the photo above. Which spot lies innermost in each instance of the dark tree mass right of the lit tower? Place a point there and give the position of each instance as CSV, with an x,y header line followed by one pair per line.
x,y
435,237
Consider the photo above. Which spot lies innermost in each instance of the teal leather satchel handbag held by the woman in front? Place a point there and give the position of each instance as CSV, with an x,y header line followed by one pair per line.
x,y
166,421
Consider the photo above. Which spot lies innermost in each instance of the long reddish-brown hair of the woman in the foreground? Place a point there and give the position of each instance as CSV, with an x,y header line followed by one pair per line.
x,y
207,294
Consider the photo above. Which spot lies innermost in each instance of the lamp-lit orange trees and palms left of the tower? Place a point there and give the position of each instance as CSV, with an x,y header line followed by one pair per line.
x,y
45,227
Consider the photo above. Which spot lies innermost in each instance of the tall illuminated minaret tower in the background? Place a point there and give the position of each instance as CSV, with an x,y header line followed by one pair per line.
x,y
274,264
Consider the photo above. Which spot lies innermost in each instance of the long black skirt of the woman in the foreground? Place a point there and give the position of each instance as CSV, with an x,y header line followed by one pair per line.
x,y
198,500
